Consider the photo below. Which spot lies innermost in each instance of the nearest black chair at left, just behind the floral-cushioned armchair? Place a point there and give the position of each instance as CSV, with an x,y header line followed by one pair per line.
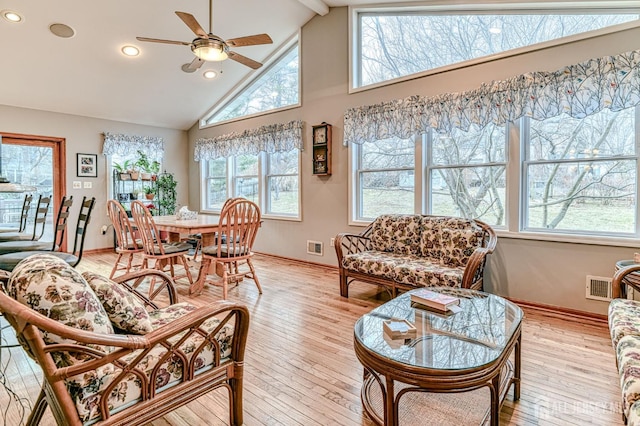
x,y
9,261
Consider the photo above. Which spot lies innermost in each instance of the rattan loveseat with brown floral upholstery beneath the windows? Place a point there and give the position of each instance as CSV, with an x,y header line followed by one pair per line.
x,y
409,251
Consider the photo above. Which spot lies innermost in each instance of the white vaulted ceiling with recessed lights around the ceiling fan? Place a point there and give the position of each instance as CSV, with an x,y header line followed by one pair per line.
x,y
87,74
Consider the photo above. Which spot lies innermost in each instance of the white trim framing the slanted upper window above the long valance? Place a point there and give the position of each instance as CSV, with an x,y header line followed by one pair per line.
x,y
354,35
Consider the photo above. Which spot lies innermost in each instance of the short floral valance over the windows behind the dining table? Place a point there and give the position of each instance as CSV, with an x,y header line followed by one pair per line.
x,y
271,138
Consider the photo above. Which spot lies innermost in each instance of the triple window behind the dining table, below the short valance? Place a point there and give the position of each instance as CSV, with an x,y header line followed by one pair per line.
x,y
270,180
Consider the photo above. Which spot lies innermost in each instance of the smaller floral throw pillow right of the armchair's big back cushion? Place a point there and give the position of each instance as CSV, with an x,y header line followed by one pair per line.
x,y
125,310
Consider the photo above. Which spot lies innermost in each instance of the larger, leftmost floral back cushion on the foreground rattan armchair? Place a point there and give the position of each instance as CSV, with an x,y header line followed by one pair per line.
x,y
51,287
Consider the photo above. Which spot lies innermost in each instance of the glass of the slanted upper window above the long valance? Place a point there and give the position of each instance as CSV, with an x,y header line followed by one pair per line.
x,y
392,45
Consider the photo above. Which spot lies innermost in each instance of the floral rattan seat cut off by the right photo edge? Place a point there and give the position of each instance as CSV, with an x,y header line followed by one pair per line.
x,y
624,325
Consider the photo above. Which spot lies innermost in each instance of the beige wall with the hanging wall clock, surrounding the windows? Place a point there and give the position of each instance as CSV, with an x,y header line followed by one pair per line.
x,y
536,271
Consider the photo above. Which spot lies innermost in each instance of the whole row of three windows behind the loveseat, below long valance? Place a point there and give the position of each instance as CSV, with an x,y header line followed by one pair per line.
x,y
568,175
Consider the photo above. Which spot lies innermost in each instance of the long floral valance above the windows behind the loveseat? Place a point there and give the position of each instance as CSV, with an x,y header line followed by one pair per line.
x,y
578,90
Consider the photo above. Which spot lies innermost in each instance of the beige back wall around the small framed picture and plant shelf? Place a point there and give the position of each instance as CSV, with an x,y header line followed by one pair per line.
x,y
84,135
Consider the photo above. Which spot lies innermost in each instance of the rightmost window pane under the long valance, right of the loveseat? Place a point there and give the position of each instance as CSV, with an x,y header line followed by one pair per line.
x,y
581,174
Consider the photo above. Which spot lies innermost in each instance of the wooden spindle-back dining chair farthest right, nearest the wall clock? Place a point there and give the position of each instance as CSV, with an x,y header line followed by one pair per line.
x,y
239,224
